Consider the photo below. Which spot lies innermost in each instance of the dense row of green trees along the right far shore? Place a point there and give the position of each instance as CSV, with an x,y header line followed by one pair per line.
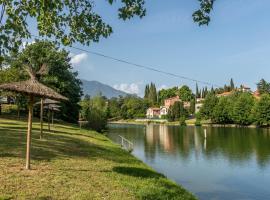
x,y
240,108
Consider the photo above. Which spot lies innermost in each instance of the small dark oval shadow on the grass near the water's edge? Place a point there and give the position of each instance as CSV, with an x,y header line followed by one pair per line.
x,y
138,172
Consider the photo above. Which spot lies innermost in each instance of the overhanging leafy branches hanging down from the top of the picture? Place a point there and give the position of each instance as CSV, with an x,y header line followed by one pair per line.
x,y
68,21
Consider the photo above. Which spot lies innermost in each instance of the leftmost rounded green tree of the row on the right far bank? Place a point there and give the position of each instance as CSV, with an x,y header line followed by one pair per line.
x,y
207,110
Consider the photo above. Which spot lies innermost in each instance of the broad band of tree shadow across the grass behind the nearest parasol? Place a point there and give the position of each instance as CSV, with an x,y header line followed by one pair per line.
x,y
60,144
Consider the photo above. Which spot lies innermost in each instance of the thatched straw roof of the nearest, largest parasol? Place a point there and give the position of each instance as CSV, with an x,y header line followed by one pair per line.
x,y
32,87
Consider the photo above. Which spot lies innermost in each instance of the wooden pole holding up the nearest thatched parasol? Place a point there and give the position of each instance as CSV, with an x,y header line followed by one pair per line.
x,y
28,145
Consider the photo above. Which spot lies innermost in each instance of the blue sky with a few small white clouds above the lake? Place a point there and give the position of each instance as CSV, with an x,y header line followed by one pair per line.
x,y
236,44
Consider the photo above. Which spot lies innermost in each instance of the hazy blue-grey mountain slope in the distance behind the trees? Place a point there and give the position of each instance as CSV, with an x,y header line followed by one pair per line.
x,y
94,88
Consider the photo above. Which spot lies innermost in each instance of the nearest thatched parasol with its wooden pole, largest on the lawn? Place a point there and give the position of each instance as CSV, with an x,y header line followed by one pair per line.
x,y
32,88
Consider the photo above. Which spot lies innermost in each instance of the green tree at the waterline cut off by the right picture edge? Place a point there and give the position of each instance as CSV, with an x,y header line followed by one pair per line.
x,y
262,110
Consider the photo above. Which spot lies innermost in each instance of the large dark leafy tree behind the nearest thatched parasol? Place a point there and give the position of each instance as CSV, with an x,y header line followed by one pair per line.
x,y
59,74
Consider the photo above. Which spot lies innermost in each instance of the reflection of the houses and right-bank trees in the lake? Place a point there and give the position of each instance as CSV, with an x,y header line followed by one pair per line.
x,y
235,144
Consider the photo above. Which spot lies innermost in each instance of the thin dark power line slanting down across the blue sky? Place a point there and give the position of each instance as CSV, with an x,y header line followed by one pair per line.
x,y
140,66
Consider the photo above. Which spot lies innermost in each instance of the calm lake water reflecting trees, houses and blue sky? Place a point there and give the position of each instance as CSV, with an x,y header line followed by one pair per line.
x,y
230,164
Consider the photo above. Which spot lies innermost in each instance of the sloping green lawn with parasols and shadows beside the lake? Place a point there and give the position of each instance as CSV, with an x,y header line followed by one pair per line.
x,y
74,164
